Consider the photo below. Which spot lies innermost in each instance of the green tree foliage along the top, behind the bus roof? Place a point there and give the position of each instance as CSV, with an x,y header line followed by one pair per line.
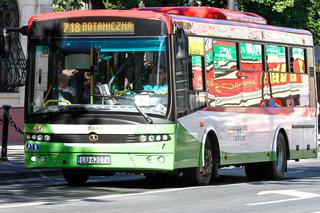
x,y
304,14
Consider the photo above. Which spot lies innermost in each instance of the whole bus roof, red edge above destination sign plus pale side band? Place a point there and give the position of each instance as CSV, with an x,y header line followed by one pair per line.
x,y
204,21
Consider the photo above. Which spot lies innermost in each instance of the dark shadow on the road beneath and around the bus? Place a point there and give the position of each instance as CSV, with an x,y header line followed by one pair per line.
x,y
55,190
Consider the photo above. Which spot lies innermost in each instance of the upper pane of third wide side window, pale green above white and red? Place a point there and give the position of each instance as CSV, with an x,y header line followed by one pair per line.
x,y
276,58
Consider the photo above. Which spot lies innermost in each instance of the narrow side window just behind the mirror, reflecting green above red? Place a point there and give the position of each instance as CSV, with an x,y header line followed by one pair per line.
x,y
197,73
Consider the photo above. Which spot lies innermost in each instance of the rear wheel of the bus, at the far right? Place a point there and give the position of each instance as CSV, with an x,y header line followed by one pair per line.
x,y
275,170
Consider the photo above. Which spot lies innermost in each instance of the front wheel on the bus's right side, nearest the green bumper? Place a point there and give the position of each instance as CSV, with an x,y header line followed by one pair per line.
x,y
201,176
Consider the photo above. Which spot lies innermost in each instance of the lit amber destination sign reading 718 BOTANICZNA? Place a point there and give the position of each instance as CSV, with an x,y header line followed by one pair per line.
x,y
107,27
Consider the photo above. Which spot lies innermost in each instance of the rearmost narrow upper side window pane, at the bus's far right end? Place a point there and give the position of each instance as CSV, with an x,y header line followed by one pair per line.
x,y
297,60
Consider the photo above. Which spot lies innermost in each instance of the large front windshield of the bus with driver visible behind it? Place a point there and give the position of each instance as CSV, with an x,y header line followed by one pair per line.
x,y
99,74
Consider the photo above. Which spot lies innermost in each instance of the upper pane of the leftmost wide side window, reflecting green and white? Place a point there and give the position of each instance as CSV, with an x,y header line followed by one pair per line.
x,y
225,55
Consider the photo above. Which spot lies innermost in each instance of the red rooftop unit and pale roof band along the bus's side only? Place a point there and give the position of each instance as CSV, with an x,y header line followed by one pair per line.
x,y
223,23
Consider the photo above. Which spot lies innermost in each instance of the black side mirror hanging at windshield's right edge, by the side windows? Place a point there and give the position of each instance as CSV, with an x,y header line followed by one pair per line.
x,y
181,44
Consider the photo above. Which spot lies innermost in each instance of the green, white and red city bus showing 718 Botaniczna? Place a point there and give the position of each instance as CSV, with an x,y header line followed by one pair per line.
x,y
168,91
